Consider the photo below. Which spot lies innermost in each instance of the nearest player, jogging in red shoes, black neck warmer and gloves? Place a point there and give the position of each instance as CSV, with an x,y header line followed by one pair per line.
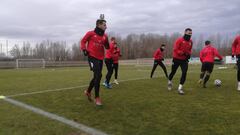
x,y
92,45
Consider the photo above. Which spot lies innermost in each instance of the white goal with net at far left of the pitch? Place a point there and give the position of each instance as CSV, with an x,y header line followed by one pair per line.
x,y
30,63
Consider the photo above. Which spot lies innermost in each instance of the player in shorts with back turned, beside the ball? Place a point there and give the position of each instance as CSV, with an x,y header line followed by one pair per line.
x,y
207,55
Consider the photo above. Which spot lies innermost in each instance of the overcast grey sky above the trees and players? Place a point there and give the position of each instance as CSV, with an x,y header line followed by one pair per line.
x,y
71,19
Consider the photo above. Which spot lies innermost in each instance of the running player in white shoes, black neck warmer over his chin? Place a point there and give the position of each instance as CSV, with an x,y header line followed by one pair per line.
x,y
181,53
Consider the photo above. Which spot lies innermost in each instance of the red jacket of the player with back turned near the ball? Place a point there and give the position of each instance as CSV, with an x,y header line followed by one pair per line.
x,y
208,53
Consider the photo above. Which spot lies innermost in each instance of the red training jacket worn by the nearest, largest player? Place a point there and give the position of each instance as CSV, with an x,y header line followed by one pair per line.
x,y
95,44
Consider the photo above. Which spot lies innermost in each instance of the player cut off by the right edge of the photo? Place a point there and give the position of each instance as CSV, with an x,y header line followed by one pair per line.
x,y
236,52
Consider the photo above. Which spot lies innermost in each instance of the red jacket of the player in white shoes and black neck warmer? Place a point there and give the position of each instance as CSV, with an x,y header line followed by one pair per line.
x,y
182,48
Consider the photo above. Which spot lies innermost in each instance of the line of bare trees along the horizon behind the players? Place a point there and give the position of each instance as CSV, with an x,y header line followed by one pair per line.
x,y
132,46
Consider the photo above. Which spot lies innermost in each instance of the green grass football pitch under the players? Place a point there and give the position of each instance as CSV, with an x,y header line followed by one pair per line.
x,y
135,107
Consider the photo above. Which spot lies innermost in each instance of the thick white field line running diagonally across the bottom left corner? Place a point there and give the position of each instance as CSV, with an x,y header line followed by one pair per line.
x,y
52,116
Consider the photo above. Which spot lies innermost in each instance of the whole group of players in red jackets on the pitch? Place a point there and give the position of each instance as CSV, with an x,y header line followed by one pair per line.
x,y
95,42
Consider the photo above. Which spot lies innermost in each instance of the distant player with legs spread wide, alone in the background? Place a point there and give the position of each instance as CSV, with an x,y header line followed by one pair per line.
x,y
158,58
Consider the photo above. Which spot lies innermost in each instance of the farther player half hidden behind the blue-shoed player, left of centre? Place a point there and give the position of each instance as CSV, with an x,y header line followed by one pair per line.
x,y
116,55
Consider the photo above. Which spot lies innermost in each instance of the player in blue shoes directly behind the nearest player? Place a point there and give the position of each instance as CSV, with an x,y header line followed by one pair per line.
x,y
109,63
